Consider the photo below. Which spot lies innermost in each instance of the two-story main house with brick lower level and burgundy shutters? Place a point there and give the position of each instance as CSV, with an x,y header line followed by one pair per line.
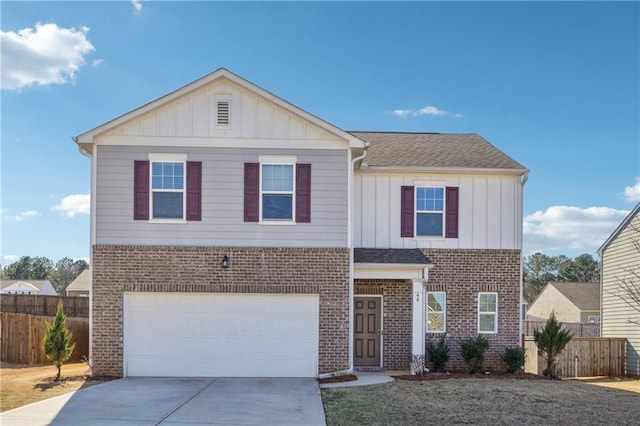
x,y
235,234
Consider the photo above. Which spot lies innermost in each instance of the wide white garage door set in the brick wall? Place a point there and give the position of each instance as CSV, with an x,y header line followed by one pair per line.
x,y
220,335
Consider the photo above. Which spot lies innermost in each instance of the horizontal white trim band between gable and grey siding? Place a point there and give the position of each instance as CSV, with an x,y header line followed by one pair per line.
x,y
197,142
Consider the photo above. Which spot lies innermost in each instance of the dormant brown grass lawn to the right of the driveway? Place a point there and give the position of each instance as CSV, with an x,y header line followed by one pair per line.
x,y
481,401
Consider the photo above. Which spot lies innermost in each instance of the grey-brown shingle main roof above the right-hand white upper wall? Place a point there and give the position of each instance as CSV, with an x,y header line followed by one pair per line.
x,y
434,150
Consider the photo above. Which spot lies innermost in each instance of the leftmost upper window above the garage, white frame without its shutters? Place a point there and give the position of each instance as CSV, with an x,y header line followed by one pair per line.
x,y
168,181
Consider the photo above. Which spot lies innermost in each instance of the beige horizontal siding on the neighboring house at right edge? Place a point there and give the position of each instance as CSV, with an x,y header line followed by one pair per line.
x,y
618,259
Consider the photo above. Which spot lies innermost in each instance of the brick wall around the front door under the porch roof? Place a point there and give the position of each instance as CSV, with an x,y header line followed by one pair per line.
x,y
396,321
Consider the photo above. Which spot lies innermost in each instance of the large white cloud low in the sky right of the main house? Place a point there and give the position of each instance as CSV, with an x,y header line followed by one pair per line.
x,y
567,228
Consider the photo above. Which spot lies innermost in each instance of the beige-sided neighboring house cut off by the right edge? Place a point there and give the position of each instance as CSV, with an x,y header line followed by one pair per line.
x,y
620,275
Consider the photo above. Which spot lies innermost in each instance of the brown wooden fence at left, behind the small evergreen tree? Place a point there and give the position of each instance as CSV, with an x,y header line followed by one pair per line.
x,y
22,338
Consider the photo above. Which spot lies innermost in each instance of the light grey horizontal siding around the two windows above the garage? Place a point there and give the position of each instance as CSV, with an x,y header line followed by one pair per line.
x,y
222,221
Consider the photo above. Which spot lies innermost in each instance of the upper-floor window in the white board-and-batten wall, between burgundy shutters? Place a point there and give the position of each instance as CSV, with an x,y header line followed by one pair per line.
x,y
429,211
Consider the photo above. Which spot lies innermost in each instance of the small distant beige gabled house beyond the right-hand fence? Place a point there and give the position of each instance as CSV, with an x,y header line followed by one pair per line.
x,y
571,302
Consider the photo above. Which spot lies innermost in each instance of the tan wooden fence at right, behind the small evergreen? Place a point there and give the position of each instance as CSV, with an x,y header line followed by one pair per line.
x,y
582,357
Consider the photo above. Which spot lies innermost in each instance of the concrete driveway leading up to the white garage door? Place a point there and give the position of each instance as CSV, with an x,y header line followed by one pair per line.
x,y
180,401
